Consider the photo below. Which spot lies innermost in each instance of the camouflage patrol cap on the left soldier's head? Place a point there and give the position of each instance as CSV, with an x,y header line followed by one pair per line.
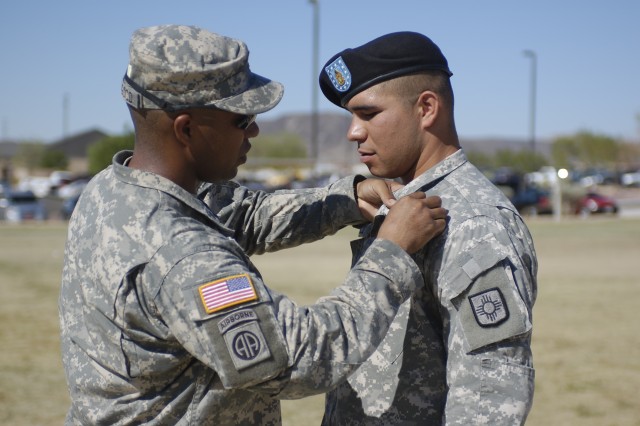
x,y
174,67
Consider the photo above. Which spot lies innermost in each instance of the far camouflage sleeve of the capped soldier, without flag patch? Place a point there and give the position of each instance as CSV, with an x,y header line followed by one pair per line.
x,y
264,222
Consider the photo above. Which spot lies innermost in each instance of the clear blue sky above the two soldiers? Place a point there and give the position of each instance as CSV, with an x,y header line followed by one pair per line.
x,y
588,74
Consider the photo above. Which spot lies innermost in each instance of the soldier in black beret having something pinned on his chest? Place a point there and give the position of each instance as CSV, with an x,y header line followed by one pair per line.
x,y
459,351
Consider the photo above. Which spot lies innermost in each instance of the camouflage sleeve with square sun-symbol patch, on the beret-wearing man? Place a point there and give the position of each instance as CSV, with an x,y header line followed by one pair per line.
x,y
484,297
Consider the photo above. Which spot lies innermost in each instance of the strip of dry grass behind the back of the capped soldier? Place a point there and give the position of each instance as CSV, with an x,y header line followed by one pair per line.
x,y
32,388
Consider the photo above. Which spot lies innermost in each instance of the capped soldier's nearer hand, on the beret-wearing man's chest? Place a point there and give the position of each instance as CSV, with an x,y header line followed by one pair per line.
x,y
413,221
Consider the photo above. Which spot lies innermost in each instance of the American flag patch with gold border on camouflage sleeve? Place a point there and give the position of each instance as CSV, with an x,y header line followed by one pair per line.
x,y
226,292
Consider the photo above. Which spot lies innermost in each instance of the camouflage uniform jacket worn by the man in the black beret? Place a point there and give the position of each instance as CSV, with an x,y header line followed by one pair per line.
x,y
458,352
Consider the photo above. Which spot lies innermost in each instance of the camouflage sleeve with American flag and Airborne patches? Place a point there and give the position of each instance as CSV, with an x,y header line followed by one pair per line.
x,y
221,312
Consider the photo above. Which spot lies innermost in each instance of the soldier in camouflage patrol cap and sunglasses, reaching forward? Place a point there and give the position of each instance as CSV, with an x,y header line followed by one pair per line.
x,y
164,319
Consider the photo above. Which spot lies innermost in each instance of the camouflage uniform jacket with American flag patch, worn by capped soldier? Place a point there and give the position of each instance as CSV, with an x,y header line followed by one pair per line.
x,y
165,320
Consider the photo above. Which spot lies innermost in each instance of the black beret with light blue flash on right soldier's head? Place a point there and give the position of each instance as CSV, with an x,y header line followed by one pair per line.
x,y
393,55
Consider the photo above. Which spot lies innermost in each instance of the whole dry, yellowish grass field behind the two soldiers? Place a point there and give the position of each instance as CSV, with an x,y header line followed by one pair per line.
x,y
586,338
